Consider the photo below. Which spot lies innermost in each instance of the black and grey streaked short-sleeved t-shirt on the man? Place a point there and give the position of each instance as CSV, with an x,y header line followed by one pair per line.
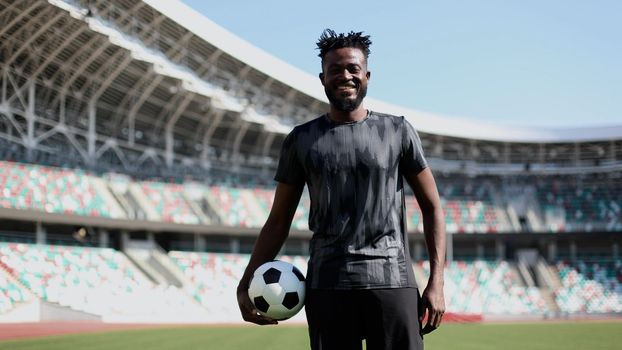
x,y
354,174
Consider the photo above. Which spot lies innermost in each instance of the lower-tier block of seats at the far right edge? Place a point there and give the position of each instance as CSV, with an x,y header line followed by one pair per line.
x,y
590,286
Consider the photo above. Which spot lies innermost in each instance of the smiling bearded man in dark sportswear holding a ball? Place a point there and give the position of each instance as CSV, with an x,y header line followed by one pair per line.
x,y
360,283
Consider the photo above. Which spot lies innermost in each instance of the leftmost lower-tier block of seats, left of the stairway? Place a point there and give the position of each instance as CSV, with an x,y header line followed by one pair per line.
x,y
98,281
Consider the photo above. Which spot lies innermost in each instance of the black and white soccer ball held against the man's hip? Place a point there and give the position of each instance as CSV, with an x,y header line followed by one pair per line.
x,y
277,290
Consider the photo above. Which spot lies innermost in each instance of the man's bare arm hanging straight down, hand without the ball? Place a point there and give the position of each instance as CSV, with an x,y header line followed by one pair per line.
x,y
426,192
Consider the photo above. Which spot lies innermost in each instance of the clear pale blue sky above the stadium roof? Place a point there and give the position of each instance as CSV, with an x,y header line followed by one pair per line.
x,y
540,63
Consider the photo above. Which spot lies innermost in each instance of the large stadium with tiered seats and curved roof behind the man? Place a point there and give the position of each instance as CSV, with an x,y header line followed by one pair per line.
x,y
138,141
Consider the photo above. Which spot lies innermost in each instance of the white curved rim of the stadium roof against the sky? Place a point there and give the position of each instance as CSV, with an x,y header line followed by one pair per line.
x,y
308,84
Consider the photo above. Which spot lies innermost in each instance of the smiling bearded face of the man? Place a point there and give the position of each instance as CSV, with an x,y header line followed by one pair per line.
x,y
345,76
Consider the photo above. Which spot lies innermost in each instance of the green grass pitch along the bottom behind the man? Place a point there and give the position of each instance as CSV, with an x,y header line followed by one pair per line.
x,y
545,336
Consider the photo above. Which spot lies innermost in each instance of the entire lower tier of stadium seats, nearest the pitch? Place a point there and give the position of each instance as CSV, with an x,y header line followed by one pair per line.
x,y
104,282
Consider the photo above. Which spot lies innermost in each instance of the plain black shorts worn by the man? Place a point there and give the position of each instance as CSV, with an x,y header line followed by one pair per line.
x,y
388,319
